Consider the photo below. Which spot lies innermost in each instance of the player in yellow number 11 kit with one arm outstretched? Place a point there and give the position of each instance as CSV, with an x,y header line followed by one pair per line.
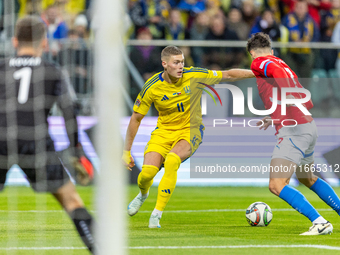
x,y
179,128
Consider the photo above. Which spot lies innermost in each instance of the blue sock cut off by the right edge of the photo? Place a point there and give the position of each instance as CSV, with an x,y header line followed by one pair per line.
x,y
327,194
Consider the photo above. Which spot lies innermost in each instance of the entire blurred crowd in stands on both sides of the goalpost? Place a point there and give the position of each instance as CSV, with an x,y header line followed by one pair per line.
x,y
70,31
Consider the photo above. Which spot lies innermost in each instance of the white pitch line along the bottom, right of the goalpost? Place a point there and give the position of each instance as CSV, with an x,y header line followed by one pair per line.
x,y
325,247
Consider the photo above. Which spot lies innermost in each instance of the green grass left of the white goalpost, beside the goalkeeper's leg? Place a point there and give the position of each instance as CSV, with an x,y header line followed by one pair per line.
x,y
42,224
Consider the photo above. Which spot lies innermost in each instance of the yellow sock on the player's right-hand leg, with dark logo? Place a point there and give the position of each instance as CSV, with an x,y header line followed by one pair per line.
x,y
169,179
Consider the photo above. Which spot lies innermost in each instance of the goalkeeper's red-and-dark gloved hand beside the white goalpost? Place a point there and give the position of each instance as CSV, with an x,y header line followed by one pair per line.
x,y
82,166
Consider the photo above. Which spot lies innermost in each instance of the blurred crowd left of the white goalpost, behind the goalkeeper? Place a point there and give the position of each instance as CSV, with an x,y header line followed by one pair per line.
x,y
68,32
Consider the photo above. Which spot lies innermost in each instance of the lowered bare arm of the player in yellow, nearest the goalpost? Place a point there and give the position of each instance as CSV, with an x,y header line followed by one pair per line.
x,y
131,132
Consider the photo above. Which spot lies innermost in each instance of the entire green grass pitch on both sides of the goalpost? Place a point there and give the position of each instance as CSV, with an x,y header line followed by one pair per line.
x,y
43,224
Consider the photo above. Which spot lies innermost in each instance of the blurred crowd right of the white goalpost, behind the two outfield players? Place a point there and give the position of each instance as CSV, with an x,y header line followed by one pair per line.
x,y
284,21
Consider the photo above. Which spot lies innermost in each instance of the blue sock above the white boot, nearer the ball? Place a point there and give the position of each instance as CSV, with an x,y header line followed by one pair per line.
x,y
299,202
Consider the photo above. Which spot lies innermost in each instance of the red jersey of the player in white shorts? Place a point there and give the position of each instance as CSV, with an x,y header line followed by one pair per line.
x,y
271,72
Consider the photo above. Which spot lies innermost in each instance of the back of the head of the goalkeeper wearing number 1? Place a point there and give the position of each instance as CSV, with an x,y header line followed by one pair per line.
x,y
30,31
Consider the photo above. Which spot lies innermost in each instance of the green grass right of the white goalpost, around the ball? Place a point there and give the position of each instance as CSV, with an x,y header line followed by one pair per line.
x,y
227,228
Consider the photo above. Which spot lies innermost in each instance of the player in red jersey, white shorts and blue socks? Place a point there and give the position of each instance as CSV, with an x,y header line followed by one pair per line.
x,y
295,140
